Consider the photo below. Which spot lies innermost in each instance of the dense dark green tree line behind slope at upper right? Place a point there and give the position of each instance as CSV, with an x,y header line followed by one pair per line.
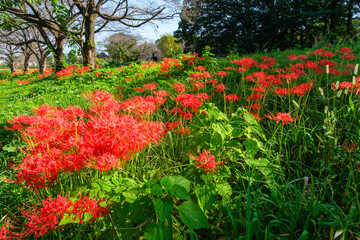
x,y
261,25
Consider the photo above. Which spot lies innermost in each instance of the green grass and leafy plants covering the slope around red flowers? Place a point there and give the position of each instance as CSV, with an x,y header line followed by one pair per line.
x,y
293,181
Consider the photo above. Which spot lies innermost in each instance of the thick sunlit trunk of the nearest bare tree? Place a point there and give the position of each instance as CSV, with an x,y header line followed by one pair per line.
x,y
88,49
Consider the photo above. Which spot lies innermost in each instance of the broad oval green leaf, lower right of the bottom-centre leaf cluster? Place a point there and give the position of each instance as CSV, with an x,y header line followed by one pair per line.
x,y
192,215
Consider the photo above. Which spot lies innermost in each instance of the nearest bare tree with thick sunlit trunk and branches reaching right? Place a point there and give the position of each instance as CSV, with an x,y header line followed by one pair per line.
x,y
98,15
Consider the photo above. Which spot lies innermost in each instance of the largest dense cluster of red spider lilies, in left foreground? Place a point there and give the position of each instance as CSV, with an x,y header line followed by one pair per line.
x,y
70,140
